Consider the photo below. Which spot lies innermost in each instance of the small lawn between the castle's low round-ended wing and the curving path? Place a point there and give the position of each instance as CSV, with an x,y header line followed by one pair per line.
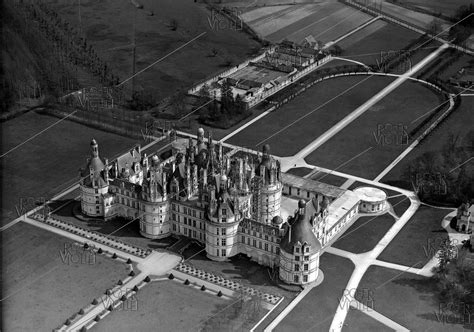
x,y
364,233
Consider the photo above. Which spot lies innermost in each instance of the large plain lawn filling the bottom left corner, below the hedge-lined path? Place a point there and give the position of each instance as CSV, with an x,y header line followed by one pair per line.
x,y
42,287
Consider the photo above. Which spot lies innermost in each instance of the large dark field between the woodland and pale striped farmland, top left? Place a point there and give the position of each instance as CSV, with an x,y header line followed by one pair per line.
x,y
108,26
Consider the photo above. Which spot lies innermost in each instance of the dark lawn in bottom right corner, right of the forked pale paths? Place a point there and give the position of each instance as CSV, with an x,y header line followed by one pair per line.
x,y
407,299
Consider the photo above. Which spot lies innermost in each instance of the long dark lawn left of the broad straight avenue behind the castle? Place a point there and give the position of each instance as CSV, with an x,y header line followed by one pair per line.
x,y
325,114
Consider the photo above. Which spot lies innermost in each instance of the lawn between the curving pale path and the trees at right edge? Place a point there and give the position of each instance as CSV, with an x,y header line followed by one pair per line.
x,y
418,240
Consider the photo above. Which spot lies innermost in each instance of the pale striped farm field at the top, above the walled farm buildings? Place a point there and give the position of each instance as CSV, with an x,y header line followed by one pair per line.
x,y
325,21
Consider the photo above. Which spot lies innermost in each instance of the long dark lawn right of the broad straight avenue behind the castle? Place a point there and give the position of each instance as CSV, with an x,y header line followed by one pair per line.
x,y
354,149
